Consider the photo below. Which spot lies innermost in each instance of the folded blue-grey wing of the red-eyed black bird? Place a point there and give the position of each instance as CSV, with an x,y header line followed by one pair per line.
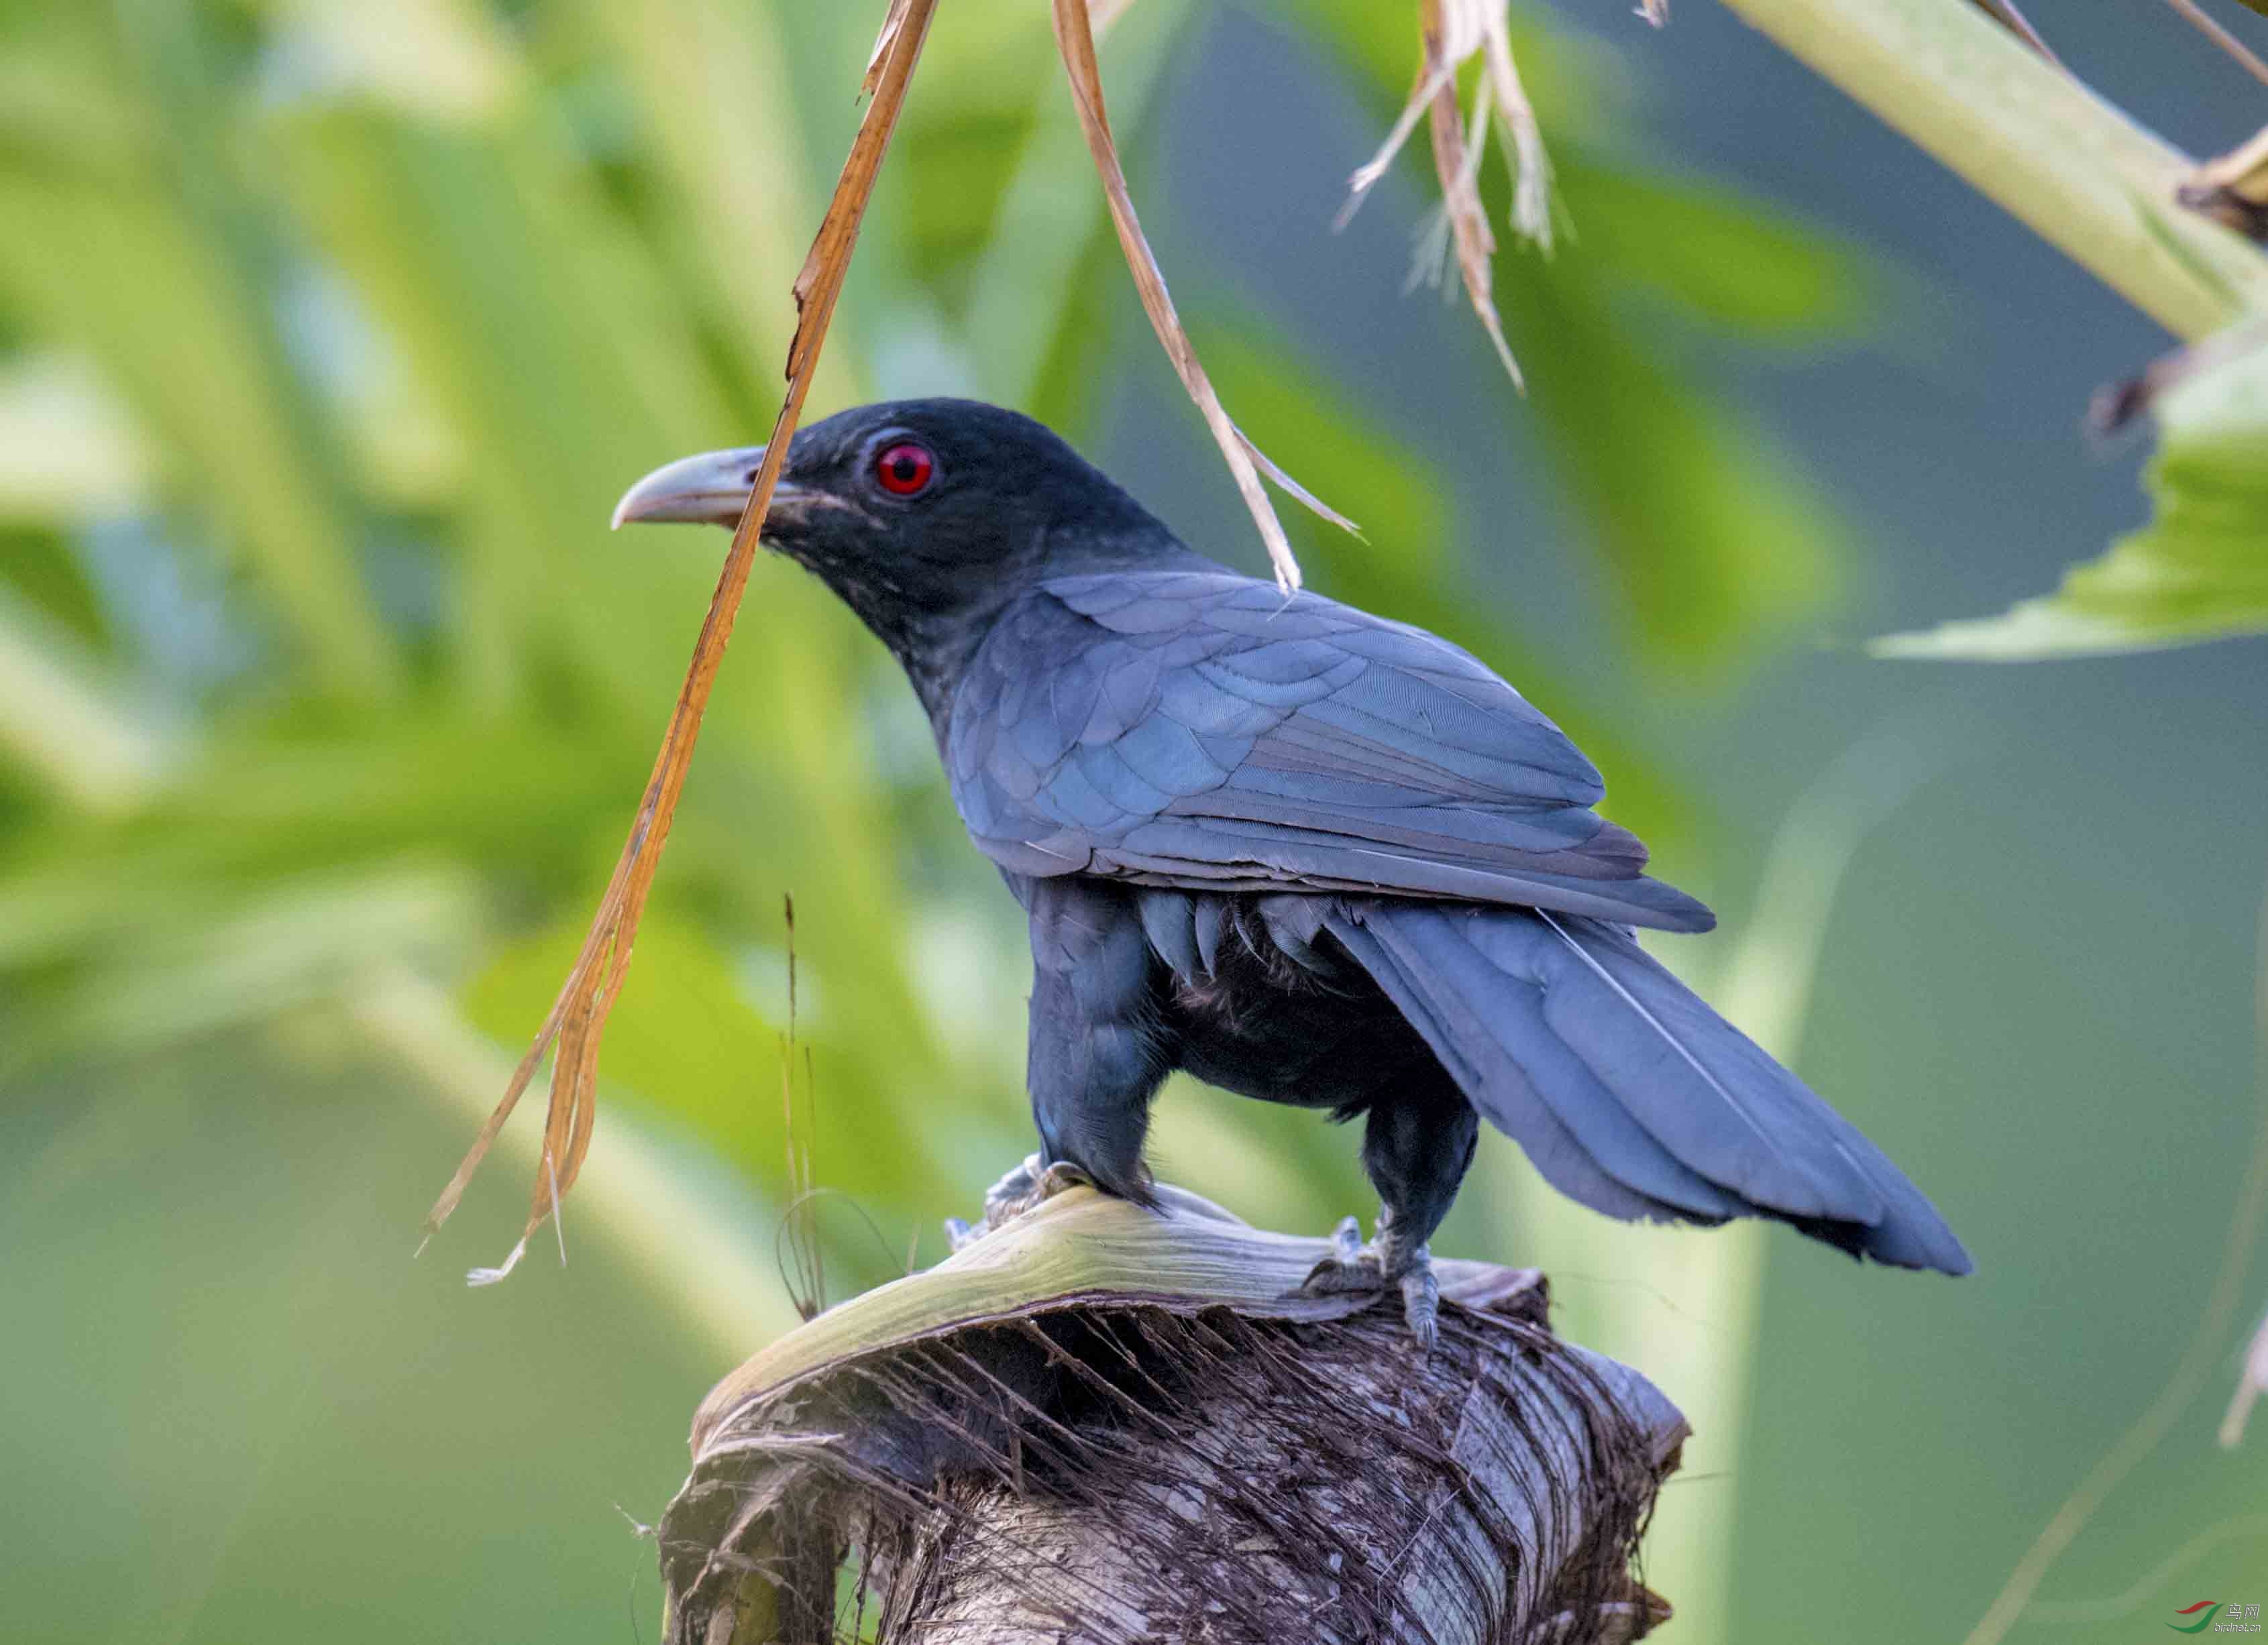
x,y
1199,728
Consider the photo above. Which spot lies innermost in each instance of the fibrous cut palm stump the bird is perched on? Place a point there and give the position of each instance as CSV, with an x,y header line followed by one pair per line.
x,y
1099,1424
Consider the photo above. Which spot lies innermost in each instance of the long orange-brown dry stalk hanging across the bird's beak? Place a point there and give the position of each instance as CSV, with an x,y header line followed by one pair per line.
x,y
589,996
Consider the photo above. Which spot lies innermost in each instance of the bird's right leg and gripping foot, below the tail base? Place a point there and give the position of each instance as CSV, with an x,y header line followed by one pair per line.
x,y
1416,1152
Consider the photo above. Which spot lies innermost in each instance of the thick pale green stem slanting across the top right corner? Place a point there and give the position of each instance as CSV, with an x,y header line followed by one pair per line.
x,y
2036,142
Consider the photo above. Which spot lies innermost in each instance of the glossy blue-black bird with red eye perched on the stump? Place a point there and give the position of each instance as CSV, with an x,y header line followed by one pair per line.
x,y
1303,853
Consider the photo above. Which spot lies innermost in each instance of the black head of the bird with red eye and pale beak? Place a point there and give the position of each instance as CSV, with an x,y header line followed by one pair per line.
x,y
924,515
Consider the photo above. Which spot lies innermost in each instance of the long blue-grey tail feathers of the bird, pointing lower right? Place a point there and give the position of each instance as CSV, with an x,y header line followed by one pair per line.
x,y
1625,1089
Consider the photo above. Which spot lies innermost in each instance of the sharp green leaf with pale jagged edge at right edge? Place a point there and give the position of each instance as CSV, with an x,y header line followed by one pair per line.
x,y
2197,572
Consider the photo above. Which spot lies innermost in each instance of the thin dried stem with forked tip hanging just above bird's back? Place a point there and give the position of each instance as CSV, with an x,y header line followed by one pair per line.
x,y
1076,40
